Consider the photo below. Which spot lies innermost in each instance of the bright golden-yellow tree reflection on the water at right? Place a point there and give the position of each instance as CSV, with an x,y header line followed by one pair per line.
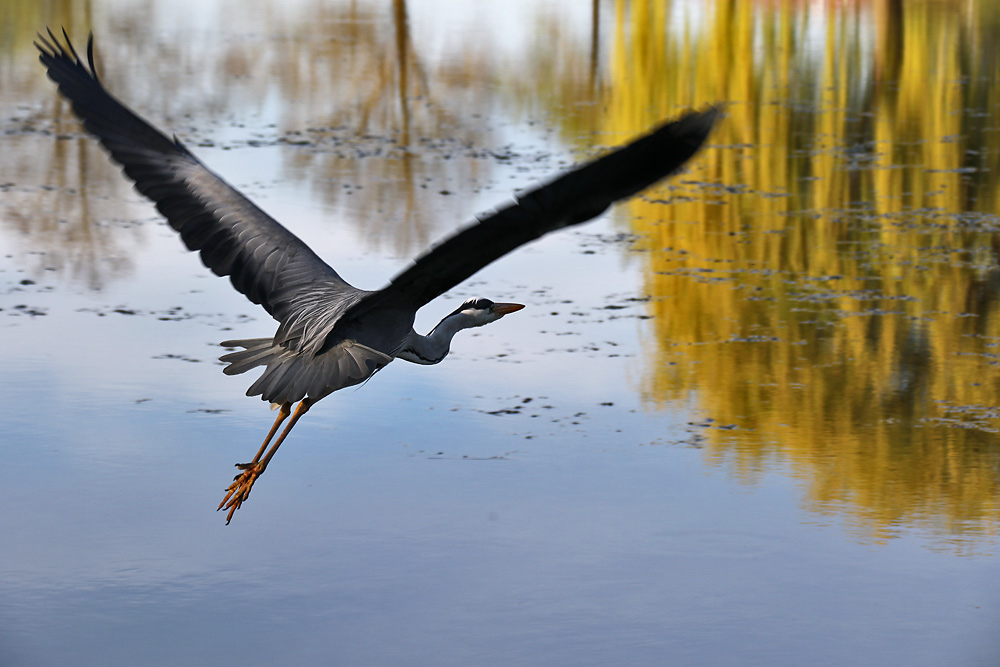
x,y
824,285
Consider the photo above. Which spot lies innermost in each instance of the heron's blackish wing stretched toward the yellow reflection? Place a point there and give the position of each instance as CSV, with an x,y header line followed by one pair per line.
x,y
569,200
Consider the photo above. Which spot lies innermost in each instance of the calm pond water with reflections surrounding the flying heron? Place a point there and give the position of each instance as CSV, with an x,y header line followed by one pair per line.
x,y
757,425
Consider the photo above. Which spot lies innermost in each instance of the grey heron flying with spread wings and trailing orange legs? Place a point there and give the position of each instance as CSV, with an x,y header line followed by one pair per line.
x,y
331,334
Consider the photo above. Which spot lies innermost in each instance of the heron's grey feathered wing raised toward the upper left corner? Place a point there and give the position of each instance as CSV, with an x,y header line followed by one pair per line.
x,y
265,261
